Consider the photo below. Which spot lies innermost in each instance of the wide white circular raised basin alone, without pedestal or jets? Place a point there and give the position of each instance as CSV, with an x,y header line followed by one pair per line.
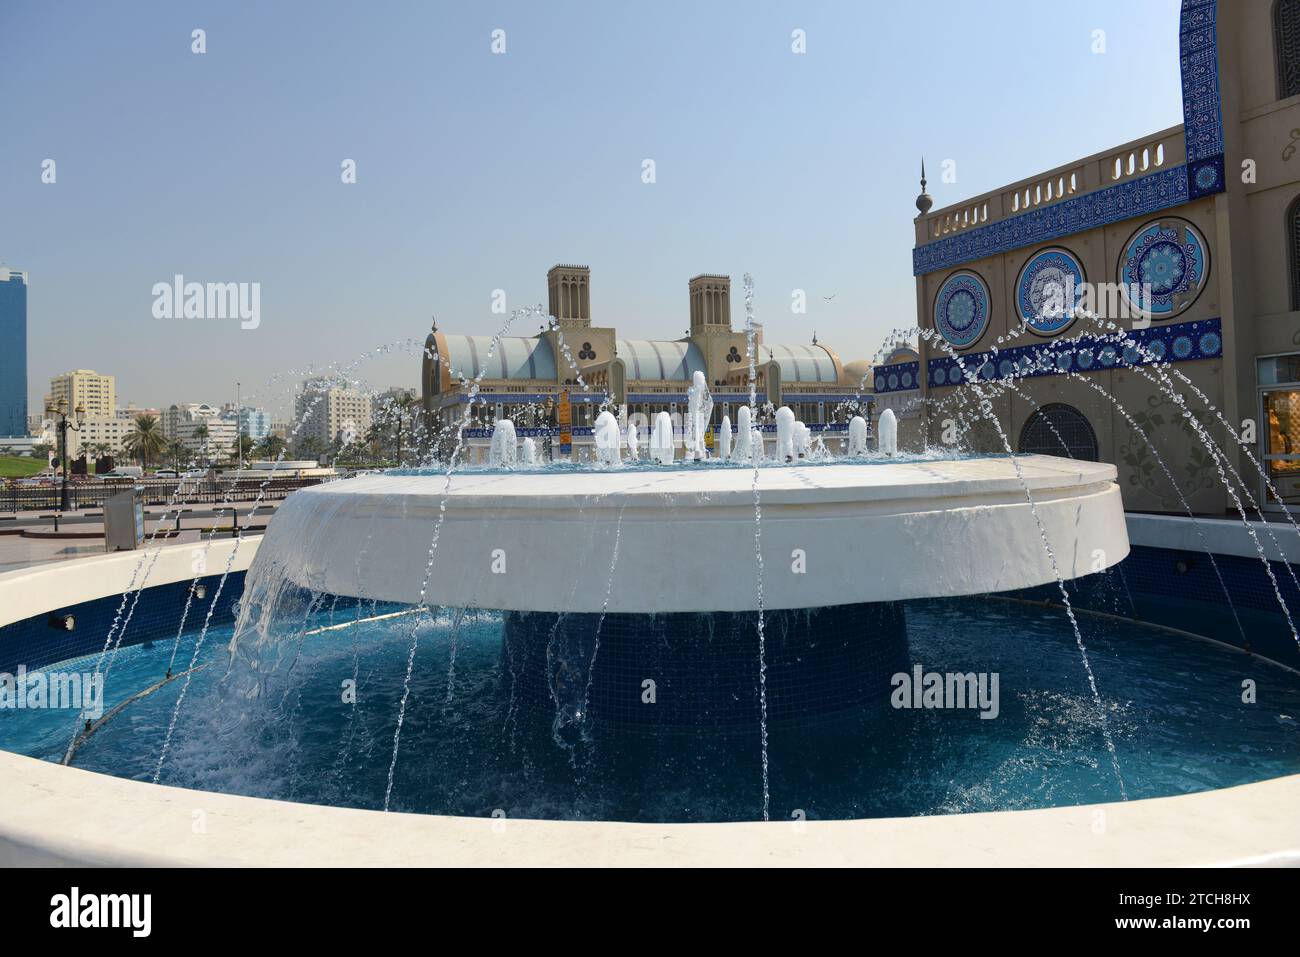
x,y
649,542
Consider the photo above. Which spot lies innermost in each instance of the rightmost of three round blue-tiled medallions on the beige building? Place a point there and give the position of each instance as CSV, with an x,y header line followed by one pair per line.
x,y
1164,269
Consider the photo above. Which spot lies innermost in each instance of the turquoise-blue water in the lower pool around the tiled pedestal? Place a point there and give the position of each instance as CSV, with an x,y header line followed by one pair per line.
x,y
1175,708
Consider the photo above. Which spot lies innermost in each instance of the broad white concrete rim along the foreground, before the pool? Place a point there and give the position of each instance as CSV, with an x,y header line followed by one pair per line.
x,y
63,816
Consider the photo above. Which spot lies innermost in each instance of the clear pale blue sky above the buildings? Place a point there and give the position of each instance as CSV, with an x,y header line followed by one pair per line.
x,y
479,172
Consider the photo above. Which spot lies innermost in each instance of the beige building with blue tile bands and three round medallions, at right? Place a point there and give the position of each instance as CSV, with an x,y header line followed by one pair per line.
x,y
1208,214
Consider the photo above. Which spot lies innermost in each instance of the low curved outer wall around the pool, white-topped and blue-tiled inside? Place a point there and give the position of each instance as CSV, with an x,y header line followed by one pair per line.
x,y
59,816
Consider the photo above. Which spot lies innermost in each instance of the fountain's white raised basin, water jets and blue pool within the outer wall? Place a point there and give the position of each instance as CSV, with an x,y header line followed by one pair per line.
x,y
722,630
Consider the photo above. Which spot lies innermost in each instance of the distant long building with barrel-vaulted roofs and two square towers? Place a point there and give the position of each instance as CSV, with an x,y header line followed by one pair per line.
x,y
523,378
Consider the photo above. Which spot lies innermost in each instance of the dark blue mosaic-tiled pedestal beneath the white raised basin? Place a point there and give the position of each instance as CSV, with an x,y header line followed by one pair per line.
x,y
704,668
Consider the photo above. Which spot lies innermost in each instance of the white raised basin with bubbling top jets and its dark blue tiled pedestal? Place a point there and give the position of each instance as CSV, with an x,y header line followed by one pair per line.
x,y
658,610
